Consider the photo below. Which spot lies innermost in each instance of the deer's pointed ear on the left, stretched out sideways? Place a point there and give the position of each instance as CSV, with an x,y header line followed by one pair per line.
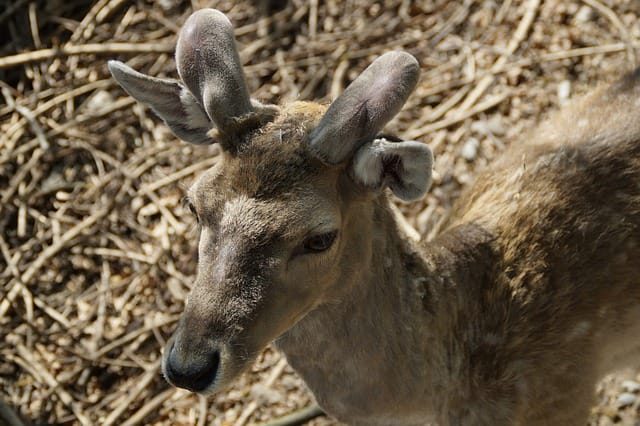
x,y
169,99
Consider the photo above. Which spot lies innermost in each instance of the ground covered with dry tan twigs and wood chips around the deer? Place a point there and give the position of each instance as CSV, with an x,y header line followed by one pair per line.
x,y
97,252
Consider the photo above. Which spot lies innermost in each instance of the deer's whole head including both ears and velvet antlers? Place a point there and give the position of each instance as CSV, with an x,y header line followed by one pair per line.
x,y
285,216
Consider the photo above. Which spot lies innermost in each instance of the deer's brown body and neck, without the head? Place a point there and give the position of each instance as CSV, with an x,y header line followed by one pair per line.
x,y
513,312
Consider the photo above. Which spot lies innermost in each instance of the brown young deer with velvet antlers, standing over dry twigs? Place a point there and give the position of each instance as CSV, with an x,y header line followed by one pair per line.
x,y
509,317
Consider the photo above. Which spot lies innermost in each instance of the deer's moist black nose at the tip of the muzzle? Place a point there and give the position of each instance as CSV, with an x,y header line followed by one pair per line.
x,y
191,371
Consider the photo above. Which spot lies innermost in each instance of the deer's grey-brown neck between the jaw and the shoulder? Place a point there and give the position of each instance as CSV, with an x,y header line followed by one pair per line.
x,y
347,351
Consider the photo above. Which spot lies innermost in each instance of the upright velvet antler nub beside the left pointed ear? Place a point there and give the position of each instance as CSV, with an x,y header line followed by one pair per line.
x,y
208,63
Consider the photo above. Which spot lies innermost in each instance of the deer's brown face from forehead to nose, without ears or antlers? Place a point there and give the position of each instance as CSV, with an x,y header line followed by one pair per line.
x,y
270,221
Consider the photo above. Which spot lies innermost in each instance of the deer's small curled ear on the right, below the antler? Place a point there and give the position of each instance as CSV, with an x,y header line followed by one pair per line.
x,y
404,167
